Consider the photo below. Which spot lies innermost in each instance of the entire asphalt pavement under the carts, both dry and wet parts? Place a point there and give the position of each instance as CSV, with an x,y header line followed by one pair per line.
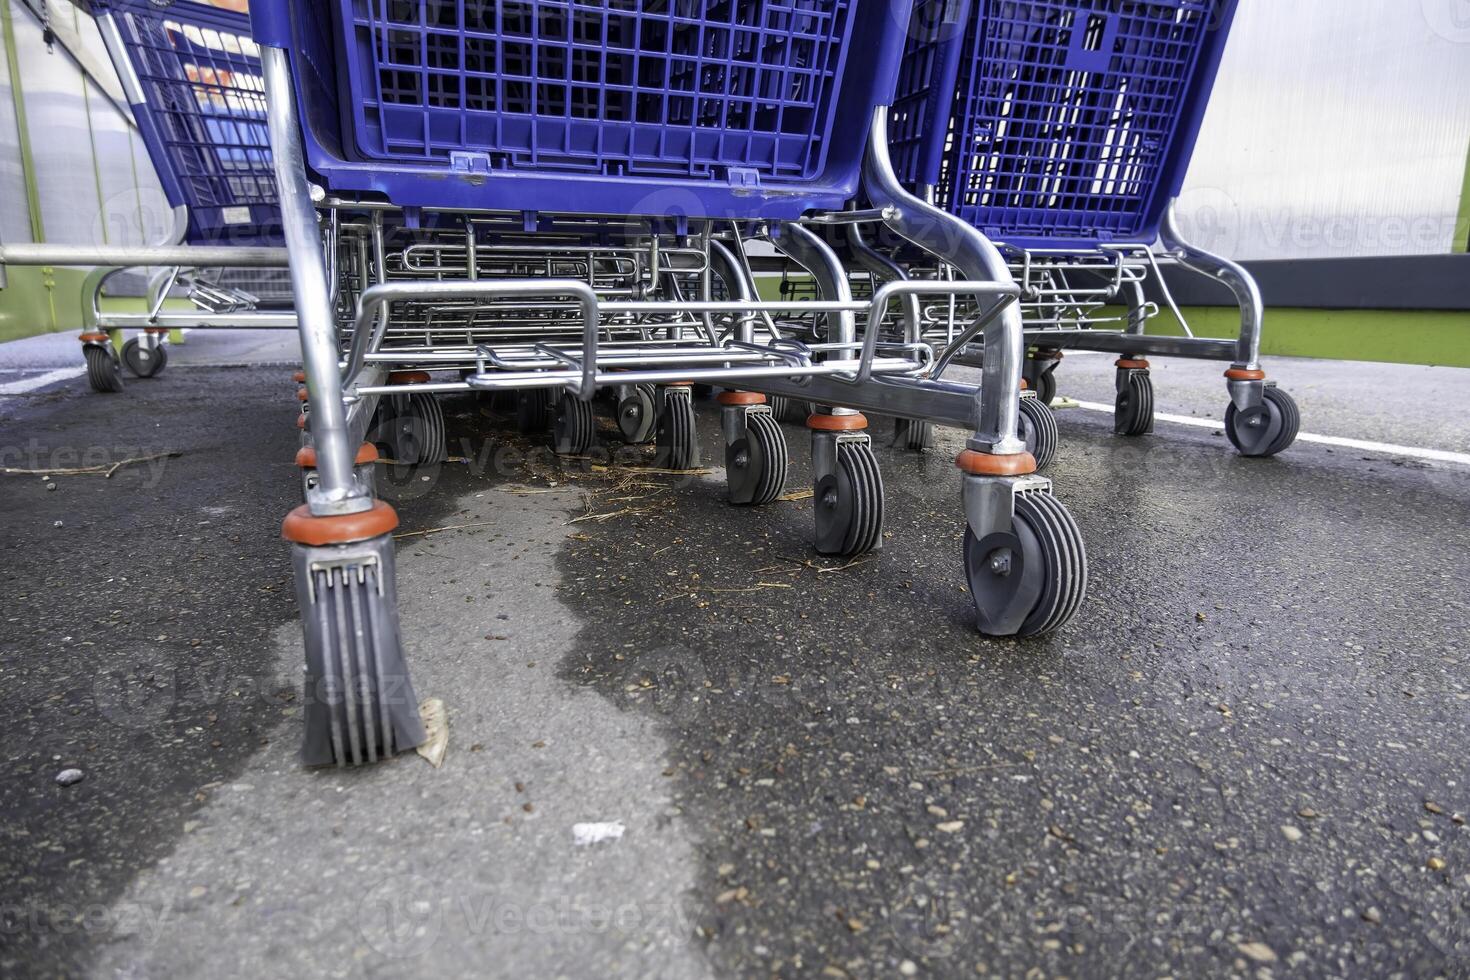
x,y
1246,756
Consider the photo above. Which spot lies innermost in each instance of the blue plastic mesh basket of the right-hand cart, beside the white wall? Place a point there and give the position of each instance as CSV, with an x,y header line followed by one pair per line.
x,y
1072,118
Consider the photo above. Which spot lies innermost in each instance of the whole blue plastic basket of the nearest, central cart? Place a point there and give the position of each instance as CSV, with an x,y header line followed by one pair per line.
x,y
696,108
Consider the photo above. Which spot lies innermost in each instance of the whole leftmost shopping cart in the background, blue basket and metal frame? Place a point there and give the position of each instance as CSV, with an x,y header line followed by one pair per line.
x,y
192,74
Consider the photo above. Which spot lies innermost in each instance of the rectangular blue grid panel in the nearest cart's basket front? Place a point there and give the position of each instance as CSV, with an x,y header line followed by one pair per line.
x,y
617,87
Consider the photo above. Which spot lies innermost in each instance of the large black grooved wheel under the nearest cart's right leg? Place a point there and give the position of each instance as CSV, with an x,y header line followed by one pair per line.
x,y
1031,580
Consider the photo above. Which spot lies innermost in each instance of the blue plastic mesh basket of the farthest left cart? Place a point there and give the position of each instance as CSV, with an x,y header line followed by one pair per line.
x,y
205,115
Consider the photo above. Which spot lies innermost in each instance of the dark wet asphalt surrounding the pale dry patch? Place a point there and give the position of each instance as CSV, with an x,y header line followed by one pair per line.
x,y
1246,754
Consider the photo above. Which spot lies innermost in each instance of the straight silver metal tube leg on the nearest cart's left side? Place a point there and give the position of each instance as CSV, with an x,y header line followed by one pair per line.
x,y
339,491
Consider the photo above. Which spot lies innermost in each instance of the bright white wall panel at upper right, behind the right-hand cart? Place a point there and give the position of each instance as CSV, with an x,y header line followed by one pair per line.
x,y
1337,129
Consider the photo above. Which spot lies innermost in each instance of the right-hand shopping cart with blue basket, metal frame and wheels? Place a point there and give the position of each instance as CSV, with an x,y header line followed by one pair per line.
x,y
1064,131
